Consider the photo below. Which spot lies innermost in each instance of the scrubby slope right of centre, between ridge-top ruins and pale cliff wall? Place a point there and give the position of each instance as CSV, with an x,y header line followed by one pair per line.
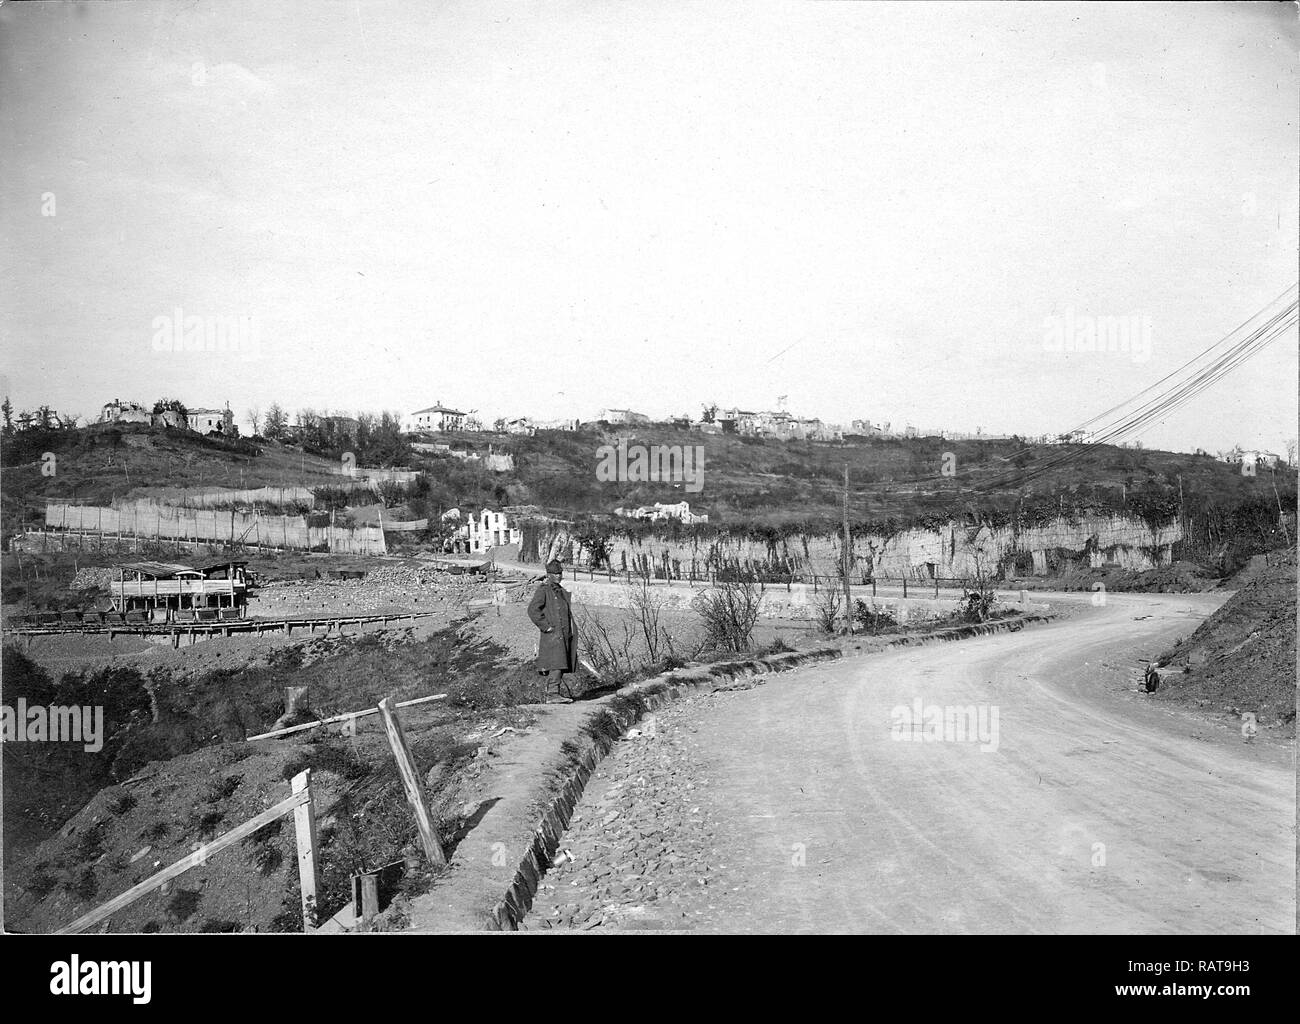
x,y
770,483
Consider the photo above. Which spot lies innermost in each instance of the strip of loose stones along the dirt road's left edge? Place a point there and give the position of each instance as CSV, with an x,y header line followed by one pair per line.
x,y
640,852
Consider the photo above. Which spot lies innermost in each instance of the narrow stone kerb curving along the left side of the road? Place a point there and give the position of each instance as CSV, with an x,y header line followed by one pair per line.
x,y
617,715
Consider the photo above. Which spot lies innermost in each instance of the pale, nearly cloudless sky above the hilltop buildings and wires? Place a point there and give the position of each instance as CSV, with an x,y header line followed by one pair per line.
x,y
868,211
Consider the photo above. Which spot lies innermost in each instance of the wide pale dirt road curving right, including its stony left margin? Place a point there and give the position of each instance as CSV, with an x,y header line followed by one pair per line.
x,y
800,806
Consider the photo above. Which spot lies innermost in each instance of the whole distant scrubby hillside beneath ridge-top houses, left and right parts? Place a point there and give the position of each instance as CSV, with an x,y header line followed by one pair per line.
x,y
748,483
